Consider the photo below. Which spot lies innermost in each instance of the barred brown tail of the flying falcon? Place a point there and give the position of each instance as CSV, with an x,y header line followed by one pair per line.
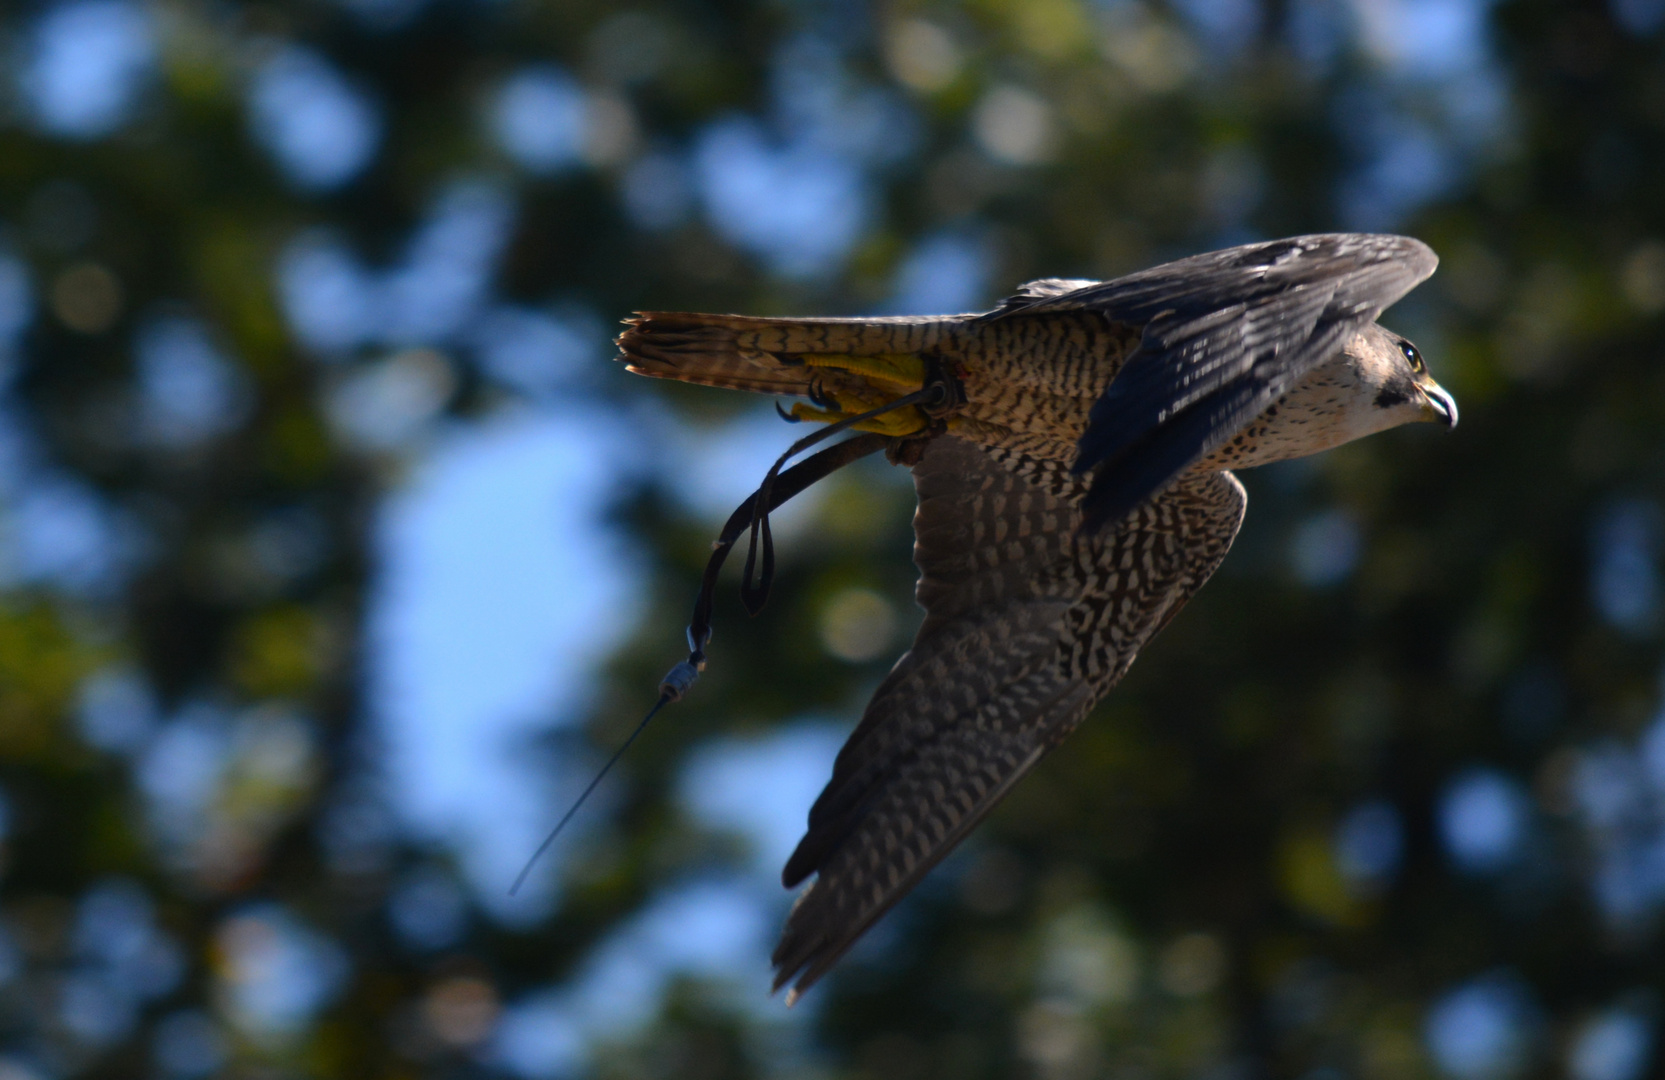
x,y
758,354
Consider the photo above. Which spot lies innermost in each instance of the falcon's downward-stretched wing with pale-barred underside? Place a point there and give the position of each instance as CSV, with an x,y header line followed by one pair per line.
x,y
1028,623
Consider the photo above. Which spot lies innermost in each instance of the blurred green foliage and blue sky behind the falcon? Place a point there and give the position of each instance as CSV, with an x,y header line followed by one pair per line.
x,y
335,553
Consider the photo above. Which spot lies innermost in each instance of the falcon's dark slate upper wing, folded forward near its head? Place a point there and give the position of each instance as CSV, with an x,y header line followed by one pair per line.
x,y
1226,335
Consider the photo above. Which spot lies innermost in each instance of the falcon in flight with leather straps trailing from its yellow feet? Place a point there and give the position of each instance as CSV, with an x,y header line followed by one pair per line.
x,y
1073,455
